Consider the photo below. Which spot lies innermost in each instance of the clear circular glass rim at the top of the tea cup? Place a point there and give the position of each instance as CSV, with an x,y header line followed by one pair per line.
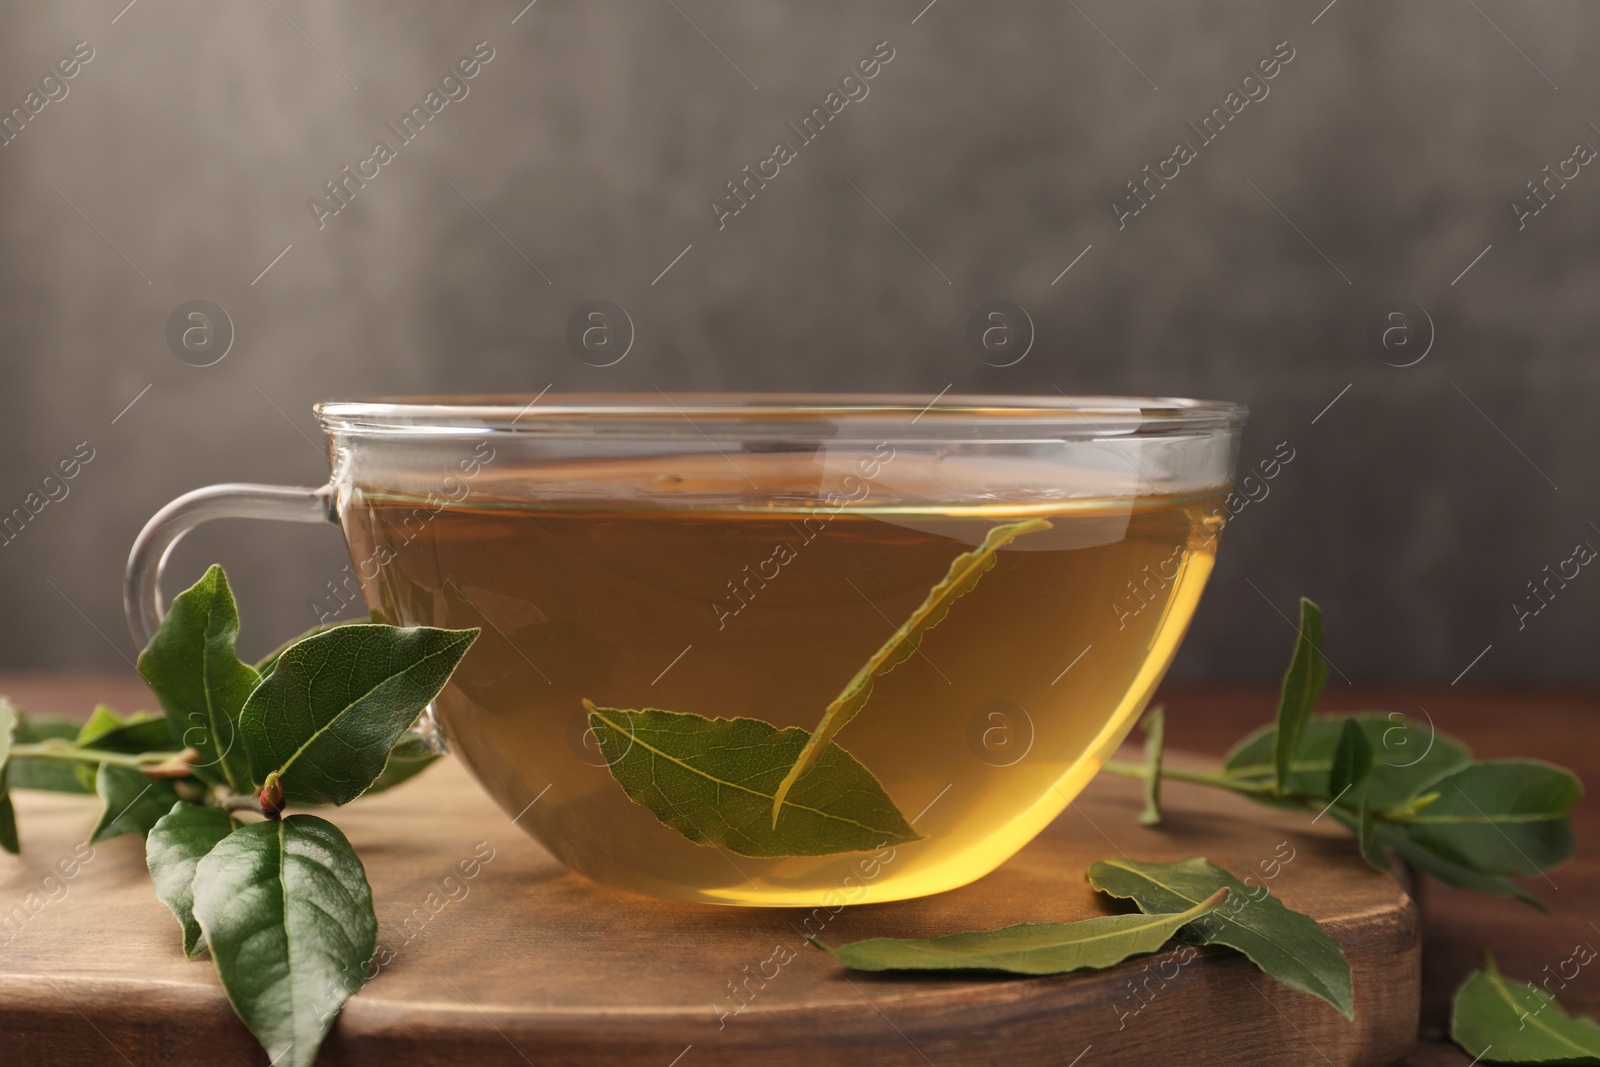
x,y
556,414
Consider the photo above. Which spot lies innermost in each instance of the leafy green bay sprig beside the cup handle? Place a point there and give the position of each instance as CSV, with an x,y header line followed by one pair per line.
x,y
282,903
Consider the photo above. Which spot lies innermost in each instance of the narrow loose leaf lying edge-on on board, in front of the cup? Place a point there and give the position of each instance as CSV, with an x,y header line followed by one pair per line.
x,y
1028,948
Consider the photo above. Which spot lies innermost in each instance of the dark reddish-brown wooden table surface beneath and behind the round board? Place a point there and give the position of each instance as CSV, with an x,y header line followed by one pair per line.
x,y
1553,725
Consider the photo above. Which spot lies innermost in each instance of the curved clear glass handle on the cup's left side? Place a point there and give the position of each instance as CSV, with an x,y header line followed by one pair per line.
x,y
142,588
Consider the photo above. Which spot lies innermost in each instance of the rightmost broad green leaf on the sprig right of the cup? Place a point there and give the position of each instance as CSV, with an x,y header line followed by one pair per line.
x,y
1502,817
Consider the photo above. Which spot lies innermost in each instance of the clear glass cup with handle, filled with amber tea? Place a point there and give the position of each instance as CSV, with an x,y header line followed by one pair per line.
x,y
751,557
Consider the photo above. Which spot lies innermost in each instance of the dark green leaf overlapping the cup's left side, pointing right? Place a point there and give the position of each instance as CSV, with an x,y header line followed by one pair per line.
x,y
337,703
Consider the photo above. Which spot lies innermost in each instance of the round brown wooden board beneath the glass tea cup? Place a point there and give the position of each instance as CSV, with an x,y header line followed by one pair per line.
x,y
527,964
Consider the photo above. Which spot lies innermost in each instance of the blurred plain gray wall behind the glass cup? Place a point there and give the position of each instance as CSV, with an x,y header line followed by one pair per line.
x,y
1383,162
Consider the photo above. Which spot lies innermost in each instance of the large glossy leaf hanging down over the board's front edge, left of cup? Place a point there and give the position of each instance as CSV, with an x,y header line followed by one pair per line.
x,y
289,916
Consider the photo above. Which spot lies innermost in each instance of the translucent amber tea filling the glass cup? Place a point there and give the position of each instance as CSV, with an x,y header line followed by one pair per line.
x,y
636,586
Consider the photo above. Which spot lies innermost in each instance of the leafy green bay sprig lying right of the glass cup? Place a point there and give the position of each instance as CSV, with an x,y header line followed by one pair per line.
x,y
1396,783
